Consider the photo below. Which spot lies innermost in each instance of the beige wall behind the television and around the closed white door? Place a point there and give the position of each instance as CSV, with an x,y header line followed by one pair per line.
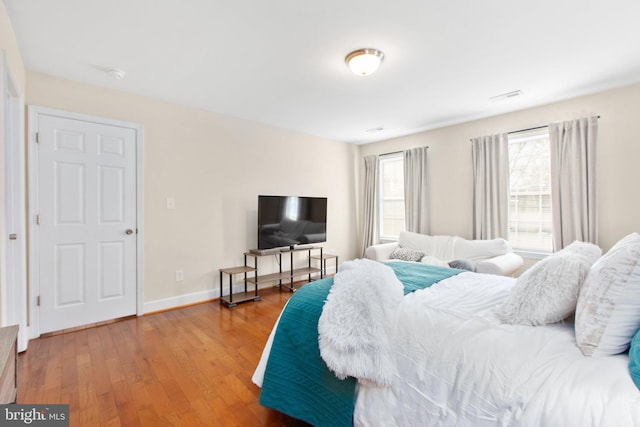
x,y
215,167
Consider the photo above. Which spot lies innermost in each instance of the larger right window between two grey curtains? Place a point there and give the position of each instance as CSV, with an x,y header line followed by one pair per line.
x,y
530,223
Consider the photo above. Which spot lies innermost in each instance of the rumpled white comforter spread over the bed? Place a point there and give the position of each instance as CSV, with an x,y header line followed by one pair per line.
x,y
457,365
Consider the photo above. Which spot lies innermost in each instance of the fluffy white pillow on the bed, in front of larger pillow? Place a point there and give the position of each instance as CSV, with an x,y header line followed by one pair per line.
x,y
548,291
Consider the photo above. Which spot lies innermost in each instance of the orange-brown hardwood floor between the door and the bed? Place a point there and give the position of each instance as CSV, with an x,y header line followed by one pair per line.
x,y
186,367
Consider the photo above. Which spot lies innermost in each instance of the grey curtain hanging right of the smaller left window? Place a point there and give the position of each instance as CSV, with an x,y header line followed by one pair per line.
x,y
416,197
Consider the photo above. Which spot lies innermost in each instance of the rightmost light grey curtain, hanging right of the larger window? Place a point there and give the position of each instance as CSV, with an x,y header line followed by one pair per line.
x,y
573,182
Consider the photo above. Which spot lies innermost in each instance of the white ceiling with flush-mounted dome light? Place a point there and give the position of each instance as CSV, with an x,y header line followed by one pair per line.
x,y
281,62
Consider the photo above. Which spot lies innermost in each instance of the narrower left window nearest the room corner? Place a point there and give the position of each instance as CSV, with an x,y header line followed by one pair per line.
x,y
391,192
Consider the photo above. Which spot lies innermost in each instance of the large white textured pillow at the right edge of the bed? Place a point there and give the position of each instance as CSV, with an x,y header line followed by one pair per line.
x,y
608,311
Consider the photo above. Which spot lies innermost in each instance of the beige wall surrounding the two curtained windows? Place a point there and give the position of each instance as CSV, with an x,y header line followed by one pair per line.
x,y
617,162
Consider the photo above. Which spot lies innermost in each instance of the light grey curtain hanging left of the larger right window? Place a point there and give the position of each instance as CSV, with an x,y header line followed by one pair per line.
x,y
490,186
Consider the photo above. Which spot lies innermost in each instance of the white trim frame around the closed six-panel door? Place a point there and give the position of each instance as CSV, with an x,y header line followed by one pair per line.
x,y
34,285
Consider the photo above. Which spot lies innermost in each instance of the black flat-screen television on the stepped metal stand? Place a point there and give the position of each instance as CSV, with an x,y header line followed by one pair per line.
x,y
287,221
